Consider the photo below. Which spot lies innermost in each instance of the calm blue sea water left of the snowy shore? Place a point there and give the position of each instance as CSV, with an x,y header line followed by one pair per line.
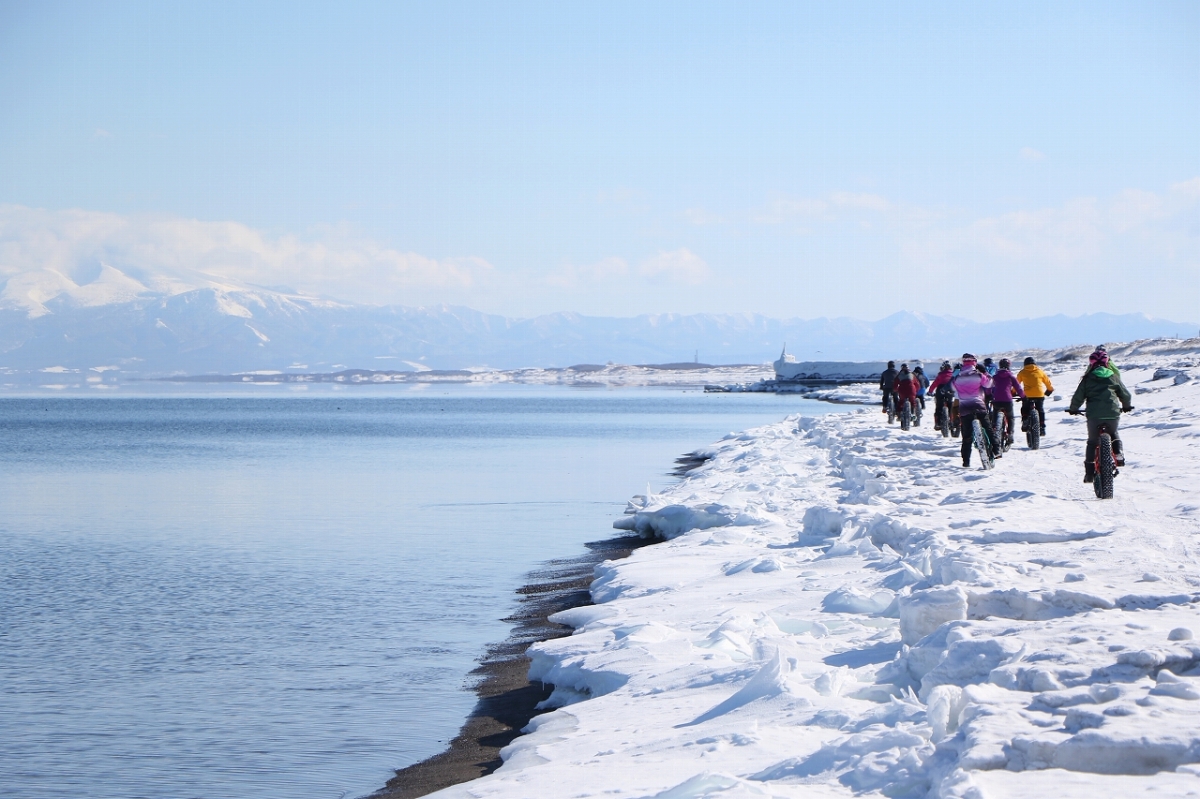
x,y
250,597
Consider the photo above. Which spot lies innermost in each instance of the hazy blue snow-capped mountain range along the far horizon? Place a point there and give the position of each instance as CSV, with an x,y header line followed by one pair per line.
x,y
195,325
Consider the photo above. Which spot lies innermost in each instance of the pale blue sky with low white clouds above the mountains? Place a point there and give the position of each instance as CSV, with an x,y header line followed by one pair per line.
x,y
985,160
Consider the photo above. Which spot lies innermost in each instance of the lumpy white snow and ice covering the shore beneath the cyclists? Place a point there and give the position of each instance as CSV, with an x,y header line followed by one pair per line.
x,y
841,609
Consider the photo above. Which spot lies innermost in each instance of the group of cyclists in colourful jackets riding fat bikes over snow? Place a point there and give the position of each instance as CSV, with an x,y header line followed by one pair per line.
x,y
969,392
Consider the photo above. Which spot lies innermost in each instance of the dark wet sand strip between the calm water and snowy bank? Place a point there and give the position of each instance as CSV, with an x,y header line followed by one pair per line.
x,y
507,698
